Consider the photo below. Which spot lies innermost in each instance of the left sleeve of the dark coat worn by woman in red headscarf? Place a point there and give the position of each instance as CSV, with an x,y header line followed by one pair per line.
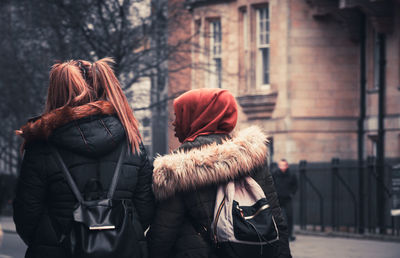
x,y
165,227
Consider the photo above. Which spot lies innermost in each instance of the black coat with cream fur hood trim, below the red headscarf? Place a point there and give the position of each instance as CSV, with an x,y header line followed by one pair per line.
x,y
185,183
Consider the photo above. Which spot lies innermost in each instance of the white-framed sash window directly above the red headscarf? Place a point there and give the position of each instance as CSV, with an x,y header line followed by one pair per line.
x,y
215,53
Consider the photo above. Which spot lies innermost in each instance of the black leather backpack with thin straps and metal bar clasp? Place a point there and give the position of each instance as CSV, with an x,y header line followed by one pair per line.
x,y
101,228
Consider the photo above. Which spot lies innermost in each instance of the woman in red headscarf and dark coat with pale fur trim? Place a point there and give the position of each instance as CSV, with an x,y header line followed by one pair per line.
x,y
186,181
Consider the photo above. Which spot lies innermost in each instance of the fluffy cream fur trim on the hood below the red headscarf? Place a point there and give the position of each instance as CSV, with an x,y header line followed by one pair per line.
x,y
212,164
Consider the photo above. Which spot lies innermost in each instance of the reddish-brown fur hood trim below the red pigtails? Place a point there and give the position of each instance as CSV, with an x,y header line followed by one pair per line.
x,y
42,127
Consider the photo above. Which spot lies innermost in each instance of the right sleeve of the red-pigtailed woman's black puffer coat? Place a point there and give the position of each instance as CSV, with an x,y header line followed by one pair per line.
x,y
143,198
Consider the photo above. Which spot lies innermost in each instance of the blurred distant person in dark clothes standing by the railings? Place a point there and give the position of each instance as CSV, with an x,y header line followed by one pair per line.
x,y
286,186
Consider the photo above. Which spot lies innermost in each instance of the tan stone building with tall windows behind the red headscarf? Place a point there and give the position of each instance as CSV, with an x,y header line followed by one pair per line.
x,y
320,76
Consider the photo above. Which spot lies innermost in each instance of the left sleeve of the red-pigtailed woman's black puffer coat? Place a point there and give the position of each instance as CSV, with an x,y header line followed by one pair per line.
x,y
29,203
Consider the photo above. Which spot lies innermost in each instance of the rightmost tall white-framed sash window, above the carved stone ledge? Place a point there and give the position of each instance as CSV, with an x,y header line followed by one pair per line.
x,y
262,34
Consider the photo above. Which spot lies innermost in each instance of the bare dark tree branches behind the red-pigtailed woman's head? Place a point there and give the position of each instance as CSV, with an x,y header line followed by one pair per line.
x,y
35,33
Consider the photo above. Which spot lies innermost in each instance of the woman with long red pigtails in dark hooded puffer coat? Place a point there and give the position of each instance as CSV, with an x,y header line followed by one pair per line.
x,y
88,120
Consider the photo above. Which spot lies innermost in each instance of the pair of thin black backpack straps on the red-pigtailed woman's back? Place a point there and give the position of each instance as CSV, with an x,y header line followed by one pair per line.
x,y
71,181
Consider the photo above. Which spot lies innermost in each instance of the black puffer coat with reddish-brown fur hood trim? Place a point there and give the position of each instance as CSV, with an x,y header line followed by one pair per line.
x,y
90,147
